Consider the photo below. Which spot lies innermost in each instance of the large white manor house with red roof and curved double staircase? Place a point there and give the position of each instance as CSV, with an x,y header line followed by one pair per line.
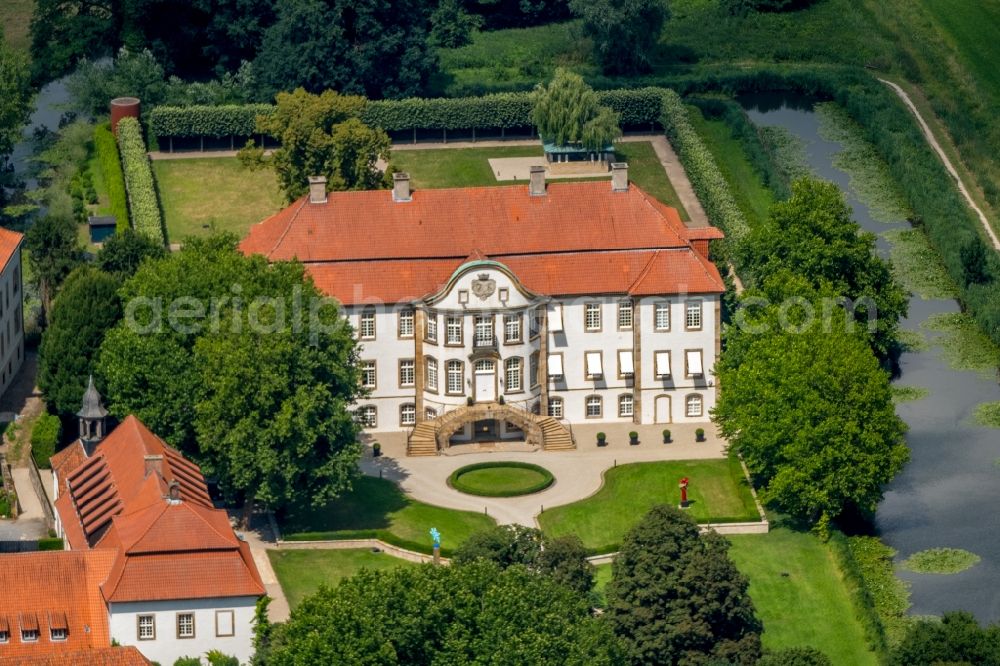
x,y
513,312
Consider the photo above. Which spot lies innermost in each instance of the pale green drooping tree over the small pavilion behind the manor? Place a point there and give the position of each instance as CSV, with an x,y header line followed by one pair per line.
x,y
567,111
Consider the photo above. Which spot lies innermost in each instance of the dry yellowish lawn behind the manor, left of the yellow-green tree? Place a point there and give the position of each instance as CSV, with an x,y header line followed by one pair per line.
x,y
202,196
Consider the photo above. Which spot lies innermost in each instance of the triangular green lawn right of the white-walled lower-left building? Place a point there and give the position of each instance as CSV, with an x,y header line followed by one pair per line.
x,y
301,572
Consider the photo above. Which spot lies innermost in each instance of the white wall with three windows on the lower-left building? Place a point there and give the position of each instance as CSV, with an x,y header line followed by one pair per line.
x,y
224,624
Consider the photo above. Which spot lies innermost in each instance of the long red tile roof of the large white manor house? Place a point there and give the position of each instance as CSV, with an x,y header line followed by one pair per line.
x,y
580,238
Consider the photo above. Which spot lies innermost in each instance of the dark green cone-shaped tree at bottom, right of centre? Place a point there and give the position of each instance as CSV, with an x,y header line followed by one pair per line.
x,y
675,597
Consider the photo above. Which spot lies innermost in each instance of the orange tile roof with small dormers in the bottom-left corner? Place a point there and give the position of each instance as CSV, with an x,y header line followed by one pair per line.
x,y
47,589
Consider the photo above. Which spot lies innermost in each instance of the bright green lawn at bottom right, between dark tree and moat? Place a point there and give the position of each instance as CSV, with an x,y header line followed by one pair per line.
x,y
799,594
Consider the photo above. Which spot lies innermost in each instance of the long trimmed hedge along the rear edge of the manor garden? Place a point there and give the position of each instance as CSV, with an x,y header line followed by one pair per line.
x,y
504,110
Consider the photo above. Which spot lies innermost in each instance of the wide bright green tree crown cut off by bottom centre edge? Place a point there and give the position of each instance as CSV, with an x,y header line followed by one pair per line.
x,y
466,614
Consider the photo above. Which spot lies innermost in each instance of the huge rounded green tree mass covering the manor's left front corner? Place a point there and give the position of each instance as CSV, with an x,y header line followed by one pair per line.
x,y
233,360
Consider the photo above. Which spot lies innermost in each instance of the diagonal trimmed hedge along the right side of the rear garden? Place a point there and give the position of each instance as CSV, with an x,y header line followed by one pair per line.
x,y
706,179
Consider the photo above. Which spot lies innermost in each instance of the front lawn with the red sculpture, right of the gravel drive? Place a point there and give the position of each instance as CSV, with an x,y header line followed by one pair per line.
x,y
717,490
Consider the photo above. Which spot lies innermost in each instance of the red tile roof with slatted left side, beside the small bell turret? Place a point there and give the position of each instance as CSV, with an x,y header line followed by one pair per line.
x,y
164,549
